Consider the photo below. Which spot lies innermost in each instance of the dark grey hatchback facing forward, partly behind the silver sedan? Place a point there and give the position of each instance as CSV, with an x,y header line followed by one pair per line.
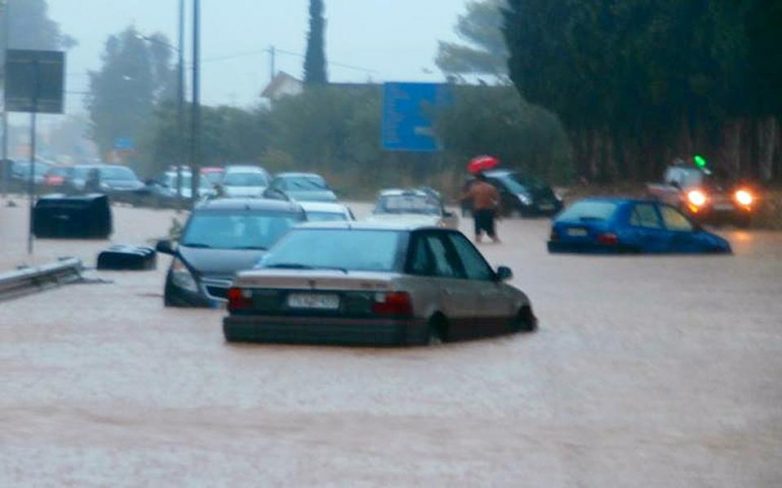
x,y
221,237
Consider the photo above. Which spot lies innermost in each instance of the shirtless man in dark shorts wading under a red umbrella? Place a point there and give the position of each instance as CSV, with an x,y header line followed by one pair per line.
x,y
484,198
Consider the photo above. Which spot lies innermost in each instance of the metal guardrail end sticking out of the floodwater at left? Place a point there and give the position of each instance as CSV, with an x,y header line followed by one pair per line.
x,y
34,279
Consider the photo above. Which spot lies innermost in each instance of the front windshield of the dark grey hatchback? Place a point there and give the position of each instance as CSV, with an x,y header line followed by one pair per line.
x,y
239,230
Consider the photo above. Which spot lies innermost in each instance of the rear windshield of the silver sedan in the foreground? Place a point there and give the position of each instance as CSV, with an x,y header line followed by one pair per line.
x,y
356,250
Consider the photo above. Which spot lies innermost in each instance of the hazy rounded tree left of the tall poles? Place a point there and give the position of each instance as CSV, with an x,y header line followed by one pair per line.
x,y
124,92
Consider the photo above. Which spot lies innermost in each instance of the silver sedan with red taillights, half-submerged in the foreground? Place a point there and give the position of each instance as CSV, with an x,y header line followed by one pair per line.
x,y
362,283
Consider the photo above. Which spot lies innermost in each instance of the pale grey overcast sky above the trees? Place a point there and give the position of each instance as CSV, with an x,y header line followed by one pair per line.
x,y
382,40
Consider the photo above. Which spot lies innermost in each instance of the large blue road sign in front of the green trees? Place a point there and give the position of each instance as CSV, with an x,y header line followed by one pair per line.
x,y
408,110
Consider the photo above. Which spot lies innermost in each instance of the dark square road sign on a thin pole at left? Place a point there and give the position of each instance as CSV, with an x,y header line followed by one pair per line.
x,y
34,84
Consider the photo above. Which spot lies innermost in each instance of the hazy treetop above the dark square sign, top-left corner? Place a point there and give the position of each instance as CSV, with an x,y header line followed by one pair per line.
x,y
31,27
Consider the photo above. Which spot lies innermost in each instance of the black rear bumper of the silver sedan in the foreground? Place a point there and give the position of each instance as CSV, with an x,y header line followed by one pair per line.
x,y
320,330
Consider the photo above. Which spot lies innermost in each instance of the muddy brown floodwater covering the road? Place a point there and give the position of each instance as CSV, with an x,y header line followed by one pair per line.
x,y
646,371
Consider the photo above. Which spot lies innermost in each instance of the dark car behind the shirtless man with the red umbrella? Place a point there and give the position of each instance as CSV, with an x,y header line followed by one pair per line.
x,y
520,195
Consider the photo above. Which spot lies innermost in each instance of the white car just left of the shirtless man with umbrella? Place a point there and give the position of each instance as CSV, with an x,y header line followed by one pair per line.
x,y
413,206
